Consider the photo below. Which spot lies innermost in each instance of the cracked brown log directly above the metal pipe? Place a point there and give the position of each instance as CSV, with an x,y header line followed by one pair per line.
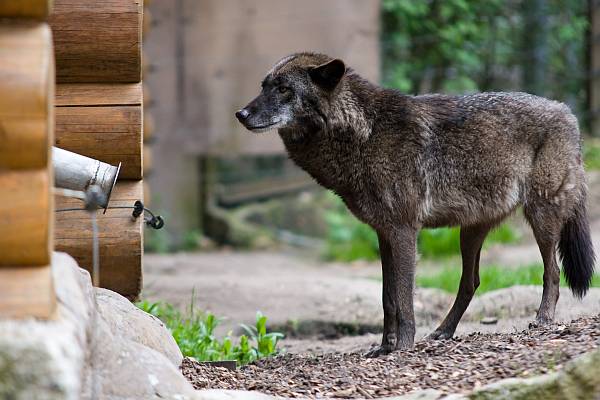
x,y
102,121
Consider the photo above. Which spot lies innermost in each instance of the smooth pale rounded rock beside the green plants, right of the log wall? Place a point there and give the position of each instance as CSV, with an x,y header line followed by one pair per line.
x,y
129,322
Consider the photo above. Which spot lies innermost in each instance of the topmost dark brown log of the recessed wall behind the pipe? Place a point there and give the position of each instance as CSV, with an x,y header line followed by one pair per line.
x,y
97,41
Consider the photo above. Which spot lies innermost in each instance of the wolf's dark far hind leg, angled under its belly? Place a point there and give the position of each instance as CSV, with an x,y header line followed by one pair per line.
x,y
471,240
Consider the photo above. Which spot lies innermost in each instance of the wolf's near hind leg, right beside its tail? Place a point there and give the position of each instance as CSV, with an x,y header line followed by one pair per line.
x,y
546,222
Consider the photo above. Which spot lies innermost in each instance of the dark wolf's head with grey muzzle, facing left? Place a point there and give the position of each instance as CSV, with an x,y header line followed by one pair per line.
x,y
296,94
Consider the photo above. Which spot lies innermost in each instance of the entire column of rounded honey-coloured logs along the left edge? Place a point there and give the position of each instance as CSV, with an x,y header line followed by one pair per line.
x,y
26,132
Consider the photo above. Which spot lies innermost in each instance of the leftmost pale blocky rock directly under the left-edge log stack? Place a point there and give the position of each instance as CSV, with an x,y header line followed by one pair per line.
x,y
44,359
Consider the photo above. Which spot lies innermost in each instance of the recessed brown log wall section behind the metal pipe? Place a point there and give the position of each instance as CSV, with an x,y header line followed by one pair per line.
x,y
99,114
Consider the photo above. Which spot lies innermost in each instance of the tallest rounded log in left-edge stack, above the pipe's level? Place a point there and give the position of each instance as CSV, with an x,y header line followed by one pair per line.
x,y
26,94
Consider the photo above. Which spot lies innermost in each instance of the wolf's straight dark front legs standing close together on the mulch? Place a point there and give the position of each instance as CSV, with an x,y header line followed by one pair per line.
x,y
398,249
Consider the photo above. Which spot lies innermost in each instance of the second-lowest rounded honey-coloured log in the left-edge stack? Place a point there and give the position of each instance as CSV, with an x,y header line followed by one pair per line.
x,y
25,212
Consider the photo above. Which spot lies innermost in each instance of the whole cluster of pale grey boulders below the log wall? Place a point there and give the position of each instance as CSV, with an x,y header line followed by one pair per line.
x,y
89,351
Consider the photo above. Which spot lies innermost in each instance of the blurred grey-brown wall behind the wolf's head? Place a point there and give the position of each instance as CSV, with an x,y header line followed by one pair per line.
x,y
207,59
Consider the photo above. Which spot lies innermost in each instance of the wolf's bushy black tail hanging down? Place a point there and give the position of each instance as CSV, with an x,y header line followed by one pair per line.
x,y
576,251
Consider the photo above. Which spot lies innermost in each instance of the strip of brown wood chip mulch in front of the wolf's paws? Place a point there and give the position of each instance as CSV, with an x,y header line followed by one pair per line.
x,y
456,365
